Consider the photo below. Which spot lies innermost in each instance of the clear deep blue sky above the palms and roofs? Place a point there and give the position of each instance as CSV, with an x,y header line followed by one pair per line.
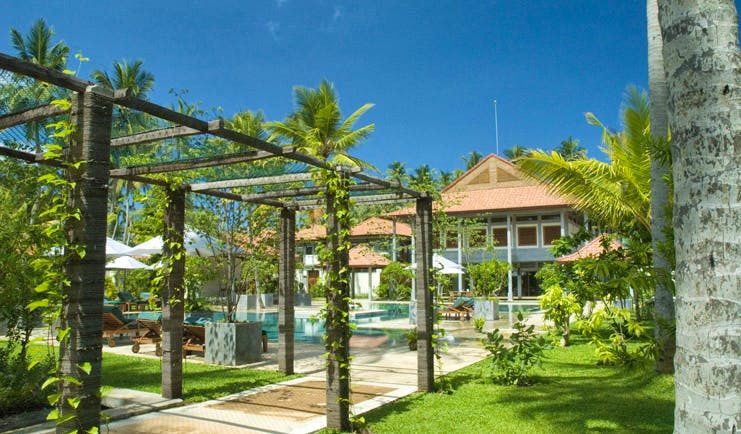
x,y
433,68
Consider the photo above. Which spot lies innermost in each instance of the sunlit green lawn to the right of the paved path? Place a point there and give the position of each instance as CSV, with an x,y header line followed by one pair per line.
x,y
571,394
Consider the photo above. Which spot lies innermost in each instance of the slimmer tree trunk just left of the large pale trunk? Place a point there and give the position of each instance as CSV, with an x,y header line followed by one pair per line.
x,y
664,323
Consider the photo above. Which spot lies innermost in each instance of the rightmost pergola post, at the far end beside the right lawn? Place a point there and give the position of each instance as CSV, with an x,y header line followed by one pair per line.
x,y
423,258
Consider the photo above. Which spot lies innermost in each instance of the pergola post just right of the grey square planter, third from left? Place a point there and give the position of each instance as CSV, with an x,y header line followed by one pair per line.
x,y
286,278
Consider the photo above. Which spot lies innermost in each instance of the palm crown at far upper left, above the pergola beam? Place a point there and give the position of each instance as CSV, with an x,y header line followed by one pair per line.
x,y
37,46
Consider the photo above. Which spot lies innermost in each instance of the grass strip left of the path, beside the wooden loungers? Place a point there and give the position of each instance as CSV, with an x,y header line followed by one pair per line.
x,y
201,382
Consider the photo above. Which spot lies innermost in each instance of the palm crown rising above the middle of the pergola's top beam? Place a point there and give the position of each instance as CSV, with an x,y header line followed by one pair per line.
x,y
316,126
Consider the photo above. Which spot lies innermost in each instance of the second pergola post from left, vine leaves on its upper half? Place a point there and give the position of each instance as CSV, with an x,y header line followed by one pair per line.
x,y
173,311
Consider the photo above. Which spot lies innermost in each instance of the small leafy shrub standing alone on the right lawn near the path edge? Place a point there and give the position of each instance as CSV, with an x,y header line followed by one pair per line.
x,y
513,364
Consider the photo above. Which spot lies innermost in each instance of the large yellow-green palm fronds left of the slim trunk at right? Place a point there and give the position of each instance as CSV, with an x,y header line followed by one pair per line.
x,y
615,194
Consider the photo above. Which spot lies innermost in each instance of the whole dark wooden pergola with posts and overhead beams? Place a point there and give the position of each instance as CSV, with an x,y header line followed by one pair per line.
x,y
91,115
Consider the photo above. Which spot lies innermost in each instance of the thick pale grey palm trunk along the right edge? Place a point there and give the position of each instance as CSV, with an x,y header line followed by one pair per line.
x,y
703,69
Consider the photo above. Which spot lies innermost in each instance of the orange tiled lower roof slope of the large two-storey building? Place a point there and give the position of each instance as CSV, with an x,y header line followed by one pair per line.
x,y
496,199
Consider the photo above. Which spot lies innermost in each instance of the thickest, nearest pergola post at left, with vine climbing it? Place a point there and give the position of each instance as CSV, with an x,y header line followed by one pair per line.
x,y
82,306
